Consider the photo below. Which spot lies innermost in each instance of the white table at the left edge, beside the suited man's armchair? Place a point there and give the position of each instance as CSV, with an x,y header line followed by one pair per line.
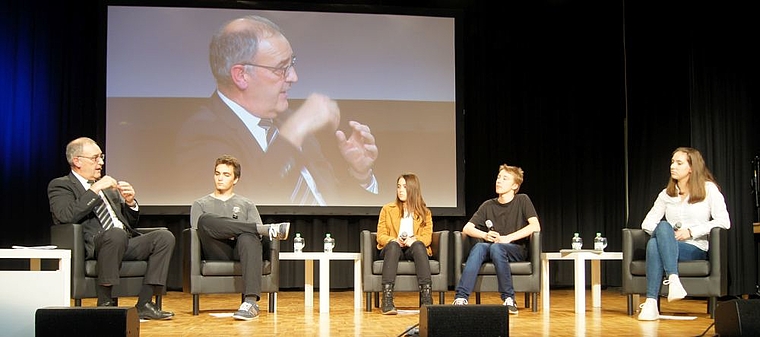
x,y
25,291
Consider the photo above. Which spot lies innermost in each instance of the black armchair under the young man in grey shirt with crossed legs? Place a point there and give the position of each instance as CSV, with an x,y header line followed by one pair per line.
x,y
201,276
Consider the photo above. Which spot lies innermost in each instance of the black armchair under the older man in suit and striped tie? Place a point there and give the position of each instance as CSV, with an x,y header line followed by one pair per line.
x,y
84,272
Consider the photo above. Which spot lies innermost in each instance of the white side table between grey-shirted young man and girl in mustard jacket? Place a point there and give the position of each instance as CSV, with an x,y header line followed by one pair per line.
x,y
324,276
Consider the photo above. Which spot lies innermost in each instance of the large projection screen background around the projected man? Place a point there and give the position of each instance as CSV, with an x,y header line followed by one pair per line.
x,y
395,73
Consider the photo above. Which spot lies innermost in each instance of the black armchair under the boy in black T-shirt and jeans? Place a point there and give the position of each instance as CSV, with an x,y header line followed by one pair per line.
x,y
526,275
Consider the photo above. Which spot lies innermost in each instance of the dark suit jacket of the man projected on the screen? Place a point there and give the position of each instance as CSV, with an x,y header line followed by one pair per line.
x,y
215,130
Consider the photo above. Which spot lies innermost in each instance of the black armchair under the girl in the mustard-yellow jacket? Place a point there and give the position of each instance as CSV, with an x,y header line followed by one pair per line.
x,y
406,277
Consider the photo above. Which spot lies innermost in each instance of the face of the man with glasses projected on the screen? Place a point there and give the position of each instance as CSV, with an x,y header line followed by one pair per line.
x,y
269,82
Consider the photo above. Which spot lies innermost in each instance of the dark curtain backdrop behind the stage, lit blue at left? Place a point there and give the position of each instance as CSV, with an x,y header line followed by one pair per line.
x,y
588,97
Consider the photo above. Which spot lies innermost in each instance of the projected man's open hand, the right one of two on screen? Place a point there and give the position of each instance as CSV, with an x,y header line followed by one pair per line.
x,y
359,150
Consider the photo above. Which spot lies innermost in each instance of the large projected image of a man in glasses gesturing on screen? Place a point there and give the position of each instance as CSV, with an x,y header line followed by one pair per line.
x,y
248,116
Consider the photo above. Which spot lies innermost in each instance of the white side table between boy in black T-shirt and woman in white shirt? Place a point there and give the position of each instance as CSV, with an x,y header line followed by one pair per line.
x,y
579,257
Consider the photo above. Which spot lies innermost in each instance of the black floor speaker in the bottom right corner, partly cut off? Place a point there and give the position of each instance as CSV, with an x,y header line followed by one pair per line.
x,y
738,318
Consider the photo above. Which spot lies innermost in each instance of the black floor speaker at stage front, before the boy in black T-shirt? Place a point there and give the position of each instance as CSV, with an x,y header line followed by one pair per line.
x,y
464,320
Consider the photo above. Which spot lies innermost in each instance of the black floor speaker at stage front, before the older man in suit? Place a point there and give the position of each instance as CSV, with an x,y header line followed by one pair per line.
x,y
87,321
